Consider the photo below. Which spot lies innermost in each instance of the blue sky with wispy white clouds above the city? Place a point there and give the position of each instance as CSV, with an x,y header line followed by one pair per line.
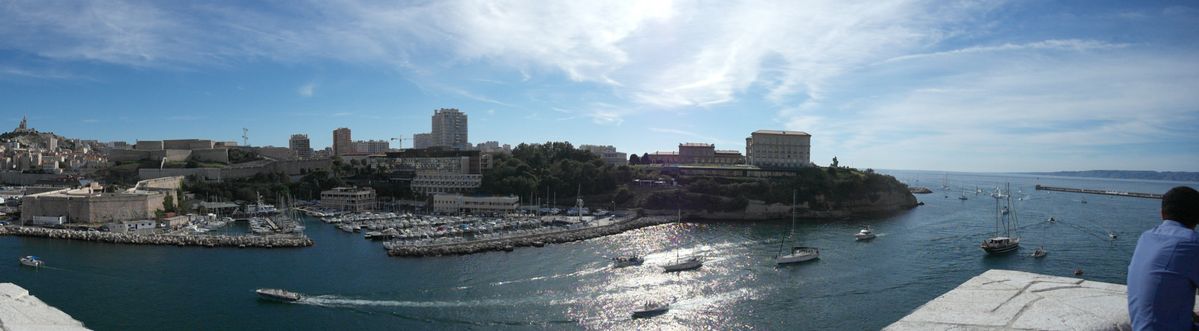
x,y
937,86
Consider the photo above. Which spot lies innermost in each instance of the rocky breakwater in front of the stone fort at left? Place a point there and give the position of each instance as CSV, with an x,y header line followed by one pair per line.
x,y
273,242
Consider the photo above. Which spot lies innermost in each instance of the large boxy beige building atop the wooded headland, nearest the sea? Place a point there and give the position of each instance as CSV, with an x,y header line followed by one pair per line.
x,y
773,149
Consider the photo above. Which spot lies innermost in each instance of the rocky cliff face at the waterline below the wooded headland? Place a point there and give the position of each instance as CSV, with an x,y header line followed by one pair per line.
x,y
877,204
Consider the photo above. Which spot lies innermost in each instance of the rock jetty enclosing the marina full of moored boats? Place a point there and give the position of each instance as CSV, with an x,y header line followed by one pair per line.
x,y
507,244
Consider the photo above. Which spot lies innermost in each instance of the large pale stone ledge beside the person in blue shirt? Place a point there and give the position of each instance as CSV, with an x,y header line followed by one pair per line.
x,y
1015,300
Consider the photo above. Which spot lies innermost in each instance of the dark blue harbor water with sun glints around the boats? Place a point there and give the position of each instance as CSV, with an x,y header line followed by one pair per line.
x,y
351,284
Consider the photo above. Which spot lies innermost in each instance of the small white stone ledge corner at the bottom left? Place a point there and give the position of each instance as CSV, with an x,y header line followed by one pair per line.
x,y
22,311
